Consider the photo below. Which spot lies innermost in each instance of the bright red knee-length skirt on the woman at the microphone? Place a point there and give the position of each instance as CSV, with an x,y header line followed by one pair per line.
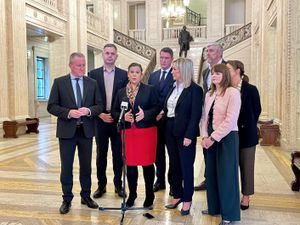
x,y
140,146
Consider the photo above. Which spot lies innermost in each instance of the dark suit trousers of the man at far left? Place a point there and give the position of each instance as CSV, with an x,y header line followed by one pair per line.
x,y
67,149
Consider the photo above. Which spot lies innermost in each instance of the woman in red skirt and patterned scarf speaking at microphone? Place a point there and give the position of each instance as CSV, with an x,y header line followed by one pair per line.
x,y
140,131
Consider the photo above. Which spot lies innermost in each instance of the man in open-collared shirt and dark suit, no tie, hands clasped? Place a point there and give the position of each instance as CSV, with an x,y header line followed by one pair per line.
x,y
110,79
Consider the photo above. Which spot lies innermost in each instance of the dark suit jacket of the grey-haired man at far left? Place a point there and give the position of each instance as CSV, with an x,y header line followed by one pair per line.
x,y
62,100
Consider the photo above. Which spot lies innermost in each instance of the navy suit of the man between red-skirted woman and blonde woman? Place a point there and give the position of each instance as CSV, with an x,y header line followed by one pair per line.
x,y
163,89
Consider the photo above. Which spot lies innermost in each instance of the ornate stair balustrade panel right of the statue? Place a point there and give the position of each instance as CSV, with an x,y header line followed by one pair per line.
x,y
235,37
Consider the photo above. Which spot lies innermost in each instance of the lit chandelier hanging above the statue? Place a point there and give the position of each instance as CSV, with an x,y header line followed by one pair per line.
x,y
174,8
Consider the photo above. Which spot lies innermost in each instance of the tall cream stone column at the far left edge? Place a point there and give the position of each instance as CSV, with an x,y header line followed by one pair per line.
x,y
16,59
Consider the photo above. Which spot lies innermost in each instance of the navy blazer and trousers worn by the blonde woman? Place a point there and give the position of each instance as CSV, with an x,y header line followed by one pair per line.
x,y
185,124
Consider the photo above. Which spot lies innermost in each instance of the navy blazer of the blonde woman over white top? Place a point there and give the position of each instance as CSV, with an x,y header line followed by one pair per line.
x,y
188,112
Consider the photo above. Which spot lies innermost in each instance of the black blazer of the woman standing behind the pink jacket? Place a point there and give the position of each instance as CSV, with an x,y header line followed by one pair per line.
x,y
249,114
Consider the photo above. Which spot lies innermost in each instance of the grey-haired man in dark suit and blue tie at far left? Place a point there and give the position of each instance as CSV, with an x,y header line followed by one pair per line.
x,y
75,100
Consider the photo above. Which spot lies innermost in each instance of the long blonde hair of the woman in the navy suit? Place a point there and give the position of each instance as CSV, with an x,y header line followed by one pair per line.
x,y
186,69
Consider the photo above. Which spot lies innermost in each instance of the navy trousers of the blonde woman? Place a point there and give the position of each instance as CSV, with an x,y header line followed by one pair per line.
x,y
182,160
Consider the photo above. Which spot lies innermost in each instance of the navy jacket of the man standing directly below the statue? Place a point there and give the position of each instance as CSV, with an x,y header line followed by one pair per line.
x,y
164,89
